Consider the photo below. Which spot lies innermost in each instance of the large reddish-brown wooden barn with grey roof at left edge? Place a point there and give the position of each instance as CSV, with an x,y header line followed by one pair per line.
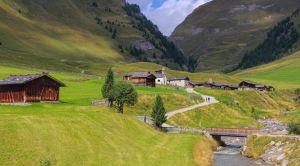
x,y
29,88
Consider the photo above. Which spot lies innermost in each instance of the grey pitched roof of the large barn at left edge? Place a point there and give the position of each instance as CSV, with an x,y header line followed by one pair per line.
x,y
23,79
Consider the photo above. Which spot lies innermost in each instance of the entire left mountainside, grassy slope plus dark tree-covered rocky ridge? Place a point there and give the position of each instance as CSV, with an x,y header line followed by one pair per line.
x,y
77,35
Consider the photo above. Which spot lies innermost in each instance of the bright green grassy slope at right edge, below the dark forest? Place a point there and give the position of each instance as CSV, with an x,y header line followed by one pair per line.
x,y
282,74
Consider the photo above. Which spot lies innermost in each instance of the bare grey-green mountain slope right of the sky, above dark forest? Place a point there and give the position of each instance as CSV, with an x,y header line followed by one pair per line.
x,y
217,36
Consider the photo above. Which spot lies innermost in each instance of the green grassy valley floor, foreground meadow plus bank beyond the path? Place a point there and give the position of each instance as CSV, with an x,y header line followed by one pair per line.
x,y
77,133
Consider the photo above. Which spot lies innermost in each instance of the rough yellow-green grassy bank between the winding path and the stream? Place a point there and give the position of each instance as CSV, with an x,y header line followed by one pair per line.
x,y
235,109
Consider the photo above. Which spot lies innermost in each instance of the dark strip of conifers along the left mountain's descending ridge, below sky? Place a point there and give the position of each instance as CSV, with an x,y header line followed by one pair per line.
x,y
152,33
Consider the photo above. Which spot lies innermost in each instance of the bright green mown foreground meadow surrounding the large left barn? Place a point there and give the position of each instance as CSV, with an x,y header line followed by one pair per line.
x,y
73,132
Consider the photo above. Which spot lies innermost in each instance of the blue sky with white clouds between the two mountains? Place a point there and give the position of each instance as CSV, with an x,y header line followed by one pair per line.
x,y
167,14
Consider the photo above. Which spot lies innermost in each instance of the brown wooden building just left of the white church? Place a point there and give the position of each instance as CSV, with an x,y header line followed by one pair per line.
x,y
141,78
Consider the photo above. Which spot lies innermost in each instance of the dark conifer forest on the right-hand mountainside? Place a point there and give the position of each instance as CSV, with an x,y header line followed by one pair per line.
x,y
278,42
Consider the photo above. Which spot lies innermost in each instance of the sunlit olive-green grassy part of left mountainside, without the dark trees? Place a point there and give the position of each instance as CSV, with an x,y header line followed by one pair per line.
x,y
36,37
